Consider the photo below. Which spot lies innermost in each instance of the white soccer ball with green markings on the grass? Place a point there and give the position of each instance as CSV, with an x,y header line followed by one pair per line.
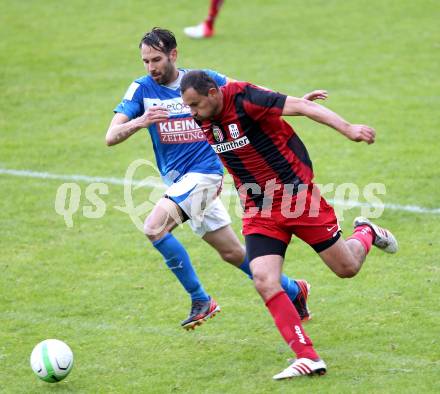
x,y
52,360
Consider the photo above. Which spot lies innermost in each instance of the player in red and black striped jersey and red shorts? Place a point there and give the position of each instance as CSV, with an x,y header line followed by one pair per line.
x,y
273,174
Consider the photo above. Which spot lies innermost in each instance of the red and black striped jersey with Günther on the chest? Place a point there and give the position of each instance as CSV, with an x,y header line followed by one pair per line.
x,y
255,144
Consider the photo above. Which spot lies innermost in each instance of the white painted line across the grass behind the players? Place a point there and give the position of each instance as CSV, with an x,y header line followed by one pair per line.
x,y
152,184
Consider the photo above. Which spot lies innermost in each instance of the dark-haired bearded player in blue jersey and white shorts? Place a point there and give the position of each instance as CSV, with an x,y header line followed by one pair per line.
x,y
190,168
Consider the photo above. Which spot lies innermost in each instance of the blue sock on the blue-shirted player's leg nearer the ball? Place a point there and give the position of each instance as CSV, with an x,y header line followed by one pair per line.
x,y
178,261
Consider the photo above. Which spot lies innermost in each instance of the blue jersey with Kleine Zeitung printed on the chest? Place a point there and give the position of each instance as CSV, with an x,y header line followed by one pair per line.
x,y
179,144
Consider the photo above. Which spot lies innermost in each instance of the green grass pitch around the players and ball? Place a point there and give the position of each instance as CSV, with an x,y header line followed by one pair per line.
x,y
100,286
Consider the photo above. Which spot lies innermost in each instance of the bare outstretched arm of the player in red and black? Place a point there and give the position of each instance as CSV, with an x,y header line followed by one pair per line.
x,y
300,107
